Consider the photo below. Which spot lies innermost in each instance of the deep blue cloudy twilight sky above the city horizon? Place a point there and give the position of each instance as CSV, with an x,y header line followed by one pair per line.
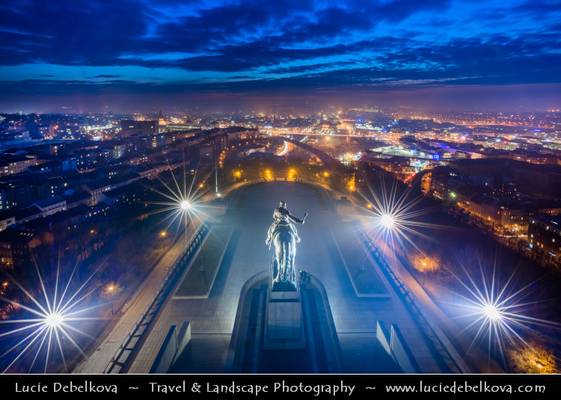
x,y
91,55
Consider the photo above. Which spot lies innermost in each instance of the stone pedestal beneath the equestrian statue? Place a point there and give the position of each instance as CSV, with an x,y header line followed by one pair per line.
x,y
284,325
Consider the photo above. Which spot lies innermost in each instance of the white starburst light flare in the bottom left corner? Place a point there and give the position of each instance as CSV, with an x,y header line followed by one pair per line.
x,y
50,324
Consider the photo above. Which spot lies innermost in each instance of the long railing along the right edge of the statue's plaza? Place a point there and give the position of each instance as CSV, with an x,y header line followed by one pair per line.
x,y
411,303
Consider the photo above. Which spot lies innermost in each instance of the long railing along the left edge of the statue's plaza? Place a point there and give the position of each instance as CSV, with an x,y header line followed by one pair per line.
x,y
128,350
